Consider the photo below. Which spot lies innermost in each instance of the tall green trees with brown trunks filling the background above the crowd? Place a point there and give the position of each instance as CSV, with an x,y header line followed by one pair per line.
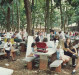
x,y
29,14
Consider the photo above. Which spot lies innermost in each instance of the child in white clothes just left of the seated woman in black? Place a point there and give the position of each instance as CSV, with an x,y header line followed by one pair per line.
x,y
61,55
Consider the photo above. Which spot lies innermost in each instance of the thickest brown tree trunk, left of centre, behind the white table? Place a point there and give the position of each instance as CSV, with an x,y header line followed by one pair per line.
x,y
28,15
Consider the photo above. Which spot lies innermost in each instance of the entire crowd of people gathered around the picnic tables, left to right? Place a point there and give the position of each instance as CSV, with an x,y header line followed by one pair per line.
x,y
65,45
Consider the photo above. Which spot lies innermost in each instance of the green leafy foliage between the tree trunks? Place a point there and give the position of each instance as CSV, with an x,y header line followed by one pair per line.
x,y
38,12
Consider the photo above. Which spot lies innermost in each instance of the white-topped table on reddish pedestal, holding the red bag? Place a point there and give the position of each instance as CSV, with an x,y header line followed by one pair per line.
x,y
44,57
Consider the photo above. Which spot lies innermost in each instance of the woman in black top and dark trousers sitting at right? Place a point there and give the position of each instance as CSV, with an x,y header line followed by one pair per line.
x,y
69,51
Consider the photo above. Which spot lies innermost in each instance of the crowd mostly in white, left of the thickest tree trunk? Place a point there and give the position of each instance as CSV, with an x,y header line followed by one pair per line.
x,y
5,37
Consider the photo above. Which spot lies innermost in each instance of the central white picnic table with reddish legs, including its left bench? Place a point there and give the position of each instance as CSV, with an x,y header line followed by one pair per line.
x,y
43,56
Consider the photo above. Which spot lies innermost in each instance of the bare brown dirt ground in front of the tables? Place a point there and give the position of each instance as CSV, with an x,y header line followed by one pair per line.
x,y
19,67
